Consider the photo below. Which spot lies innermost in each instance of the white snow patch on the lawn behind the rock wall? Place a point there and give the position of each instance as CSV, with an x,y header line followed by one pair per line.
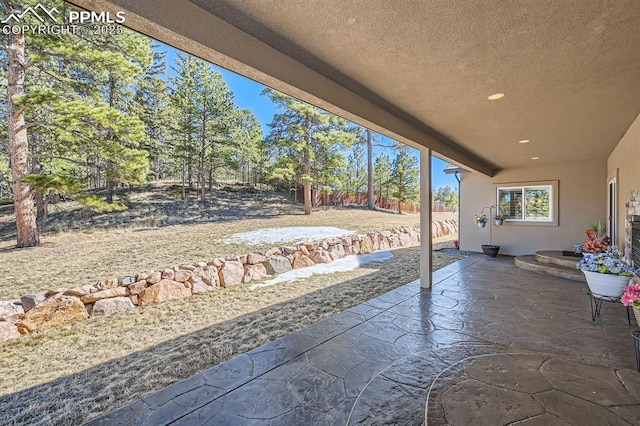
x,y
292,234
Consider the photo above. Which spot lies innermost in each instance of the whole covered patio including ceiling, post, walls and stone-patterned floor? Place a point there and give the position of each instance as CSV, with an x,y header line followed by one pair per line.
x,y
521,94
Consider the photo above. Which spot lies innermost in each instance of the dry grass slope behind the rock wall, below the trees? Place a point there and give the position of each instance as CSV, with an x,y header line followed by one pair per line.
x,y
158,233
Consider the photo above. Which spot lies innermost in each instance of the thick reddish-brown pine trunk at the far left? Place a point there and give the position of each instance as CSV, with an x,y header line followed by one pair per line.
x,y
24,206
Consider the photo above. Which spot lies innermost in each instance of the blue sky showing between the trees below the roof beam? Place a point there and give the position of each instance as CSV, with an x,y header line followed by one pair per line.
x,y
247,95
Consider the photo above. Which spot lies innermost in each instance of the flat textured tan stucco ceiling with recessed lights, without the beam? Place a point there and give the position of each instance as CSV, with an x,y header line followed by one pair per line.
x,y
570,69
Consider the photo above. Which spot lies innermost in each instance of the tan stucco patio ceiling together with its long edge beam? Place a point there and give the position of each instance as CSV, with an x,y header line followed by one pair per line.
x,y
421,70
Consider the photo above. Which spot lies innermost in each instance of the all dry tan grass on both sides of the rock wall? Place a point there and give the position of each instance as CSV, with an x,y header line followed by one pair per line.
x,y
78,372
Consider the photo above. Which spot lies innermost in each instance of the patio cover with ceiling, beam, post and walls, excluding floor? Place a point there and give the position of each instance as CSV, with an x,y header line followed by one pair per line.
x,y
540,99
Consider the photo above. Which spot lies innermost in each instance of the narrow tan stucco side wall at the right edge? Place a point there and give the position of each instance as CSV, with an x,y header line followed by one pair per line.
x,y
624,162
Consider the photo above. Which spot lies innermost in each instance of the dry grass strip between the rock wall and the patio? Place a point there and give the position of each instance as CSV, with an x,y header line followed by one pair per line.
x,y
99,365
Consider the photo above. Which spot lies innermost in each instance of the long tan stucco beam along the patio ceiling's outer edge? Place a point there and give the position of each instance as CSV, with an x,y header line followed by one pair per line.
x,y
187,27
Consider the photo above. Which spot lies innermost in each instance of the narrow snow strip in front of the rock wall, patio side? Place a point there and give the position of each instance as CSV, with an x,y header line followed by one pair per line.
x,y
347,263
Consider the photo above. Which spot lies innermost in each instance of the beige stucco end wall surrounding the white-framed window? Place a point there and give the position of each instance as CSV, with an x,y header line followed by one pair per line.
x,y
582,199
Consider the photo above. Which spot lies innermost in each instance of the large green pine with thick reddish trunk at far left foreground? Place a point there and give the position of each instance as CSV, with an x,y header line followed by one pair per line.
x,y
67,103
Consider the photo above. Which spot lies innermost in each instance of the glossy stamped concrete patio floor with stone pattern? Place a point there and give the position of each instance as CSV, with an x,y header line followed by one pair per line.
x,y
490,344
